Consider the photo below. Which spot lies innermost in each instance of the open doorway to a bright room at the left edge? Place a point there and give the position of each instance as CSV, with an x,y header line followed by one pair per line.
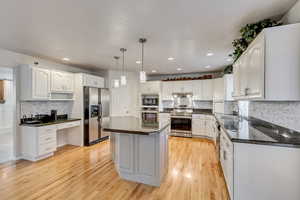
x,y
7,110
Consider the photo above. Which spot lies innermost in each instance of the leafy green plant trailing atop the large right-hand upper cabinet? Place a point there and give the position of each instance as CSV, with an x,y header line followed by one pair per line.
x,y
248,34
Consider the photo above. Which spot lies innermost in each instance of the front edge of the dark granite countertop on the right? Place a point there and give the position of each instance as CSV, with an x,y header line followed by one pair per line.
x,y
258,142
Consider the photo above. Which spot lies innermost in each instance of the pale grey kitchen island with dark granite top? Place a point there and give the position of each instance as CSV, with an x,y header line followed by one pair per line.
x,y
139,150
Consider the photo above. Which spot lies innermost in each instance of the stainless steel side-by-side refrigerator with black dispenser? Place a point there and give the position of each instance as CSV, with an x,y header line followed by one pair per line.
x,y
96,113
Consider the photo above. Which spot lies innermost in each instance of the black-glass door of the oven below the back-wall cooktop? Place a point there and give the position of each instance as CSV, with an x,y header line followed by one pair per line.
x,y
181,125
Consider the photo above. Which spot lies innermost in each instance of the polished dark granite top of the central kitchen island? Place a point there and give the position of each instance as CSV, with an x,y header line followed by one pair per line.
x,y
133,125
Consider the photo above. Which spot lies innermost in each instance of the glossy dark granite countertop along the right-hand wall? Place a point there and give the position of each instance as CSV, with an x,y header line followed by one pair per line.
x,y
255,131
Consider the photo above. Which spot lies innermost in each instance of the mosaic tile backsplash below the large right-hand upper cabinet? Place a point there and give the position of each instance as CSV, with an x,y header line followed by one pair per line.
x,y
286,114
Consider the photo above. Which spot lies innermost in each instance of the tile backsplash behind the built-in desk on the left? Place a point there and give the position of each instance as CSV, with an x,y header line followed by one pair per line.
x,y
33,108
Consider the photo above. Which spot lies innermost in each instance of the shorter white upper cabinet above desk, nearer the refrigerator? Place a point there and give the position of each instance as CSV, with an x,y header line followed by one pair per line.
x,y
62,82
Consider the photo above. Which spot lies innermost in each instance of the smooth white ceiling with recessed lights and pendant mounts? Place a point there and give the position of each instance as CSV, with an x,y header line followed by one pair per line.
x,y
91,32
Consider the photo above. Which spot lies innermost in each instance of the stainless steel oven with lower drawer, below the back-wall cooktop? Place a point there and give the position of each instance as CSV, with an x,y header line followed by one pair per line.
x,y
181,126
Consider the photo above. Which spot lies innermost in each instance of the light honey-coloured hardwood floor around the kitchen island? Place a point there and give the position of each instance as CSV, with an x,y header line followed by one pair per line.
x,y
88,173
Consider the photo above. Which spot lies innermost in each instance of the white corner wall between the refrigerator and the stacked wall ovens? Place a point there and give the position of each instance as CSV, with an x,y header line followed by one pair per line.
x,y
124,100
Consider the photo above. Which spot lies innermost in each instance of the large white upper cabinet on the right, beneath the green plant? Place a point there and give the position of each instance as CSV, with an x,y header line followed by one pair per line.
x,y
269,68
